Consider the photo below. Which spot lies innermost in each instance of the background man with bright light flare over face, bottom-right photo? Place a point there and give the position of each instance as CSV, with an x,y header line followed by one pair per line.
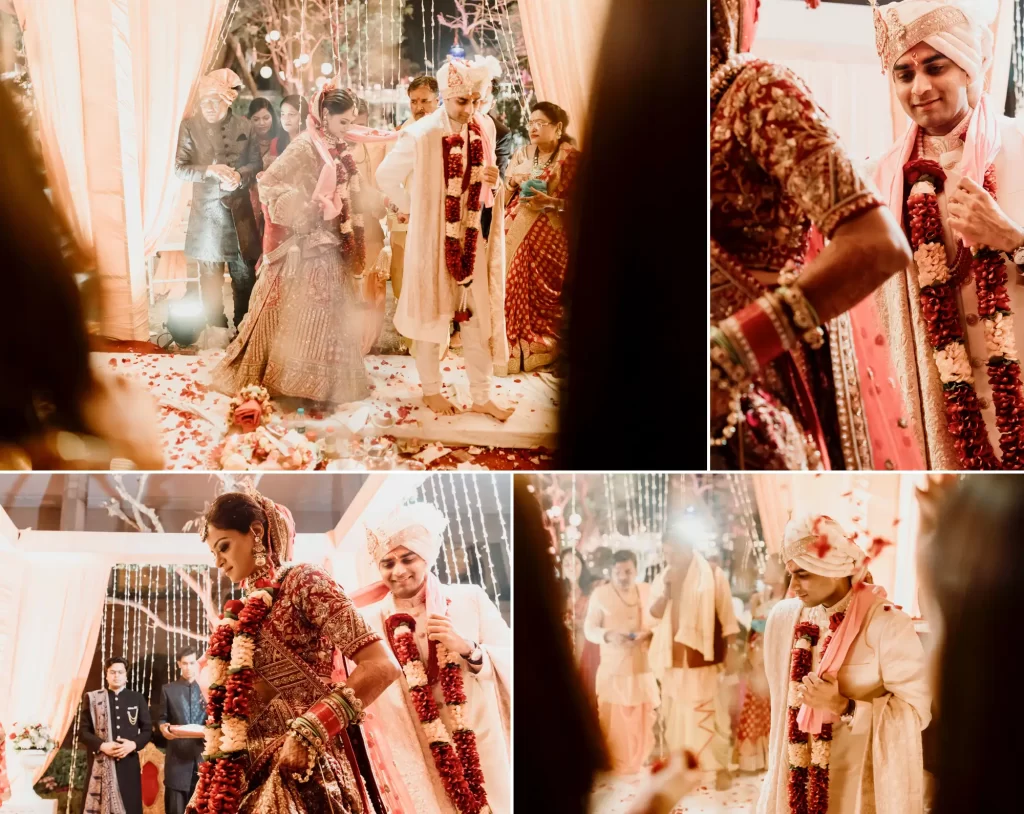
x,y
696,627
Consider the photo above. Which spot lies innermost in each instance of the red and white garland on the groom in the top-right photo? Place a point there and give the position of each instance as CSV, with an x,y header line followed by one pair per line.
x,y
940,307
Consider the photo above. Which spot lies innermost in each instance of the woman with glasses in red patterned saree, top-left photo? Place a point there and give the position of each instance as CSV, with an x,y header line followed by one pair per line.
x,y
539,180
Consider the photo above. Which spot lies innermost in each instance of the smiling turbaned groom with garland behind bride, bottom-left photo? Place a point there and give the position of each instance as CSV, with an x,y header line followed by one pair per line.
x,y
439,738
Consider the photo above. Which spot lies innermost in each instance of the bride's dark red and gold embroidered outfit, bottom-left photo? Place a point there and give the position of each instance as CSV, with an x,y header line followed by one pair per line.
x,y
311,619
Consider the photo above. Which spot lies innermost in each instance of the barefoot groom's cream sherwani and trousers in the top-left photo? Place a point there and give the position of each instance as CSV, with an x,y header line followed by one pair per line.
x,y
413,178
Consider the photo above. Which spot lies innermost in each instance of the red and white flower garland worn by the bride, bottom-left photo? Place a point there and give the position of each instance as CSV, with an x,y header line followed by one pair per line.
x,y
222,777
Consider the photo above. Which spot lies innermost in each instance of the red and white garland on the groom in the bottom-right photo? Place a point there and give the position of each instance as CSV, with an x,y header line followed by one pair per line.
x,y
808,755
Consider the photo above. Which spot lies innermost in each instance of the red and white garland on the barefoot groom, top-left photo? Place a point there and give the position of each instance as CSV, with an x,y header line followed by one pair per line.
x,y
460,255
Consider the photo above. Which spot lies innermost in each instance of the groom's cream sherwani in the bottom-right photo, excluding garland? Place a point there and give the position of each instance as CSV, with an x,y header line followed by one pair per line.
x,y
885,674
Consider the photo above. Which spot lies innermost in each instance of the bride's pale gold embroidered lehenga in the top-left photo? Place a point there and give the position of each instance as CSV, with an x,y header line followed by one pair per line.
x,y
303,334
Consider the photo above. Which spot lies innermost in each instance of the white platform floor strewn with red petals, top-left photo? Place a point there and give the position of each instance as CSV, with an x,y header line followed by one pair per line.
x,y
194,418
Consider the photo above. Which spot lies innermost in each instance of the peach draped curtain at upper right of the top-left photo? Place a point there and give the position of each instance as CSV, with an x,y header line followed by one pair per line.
x,y
563,39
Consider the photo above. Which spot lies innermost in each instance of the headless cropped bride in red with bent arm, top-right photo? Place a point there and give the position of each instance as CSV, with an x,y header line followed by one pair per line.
x,y
799,380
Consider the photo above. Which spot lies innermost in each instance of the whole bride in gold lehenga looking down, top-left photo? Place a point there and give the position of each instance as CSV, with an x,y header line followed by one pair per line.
x,y
303,335
